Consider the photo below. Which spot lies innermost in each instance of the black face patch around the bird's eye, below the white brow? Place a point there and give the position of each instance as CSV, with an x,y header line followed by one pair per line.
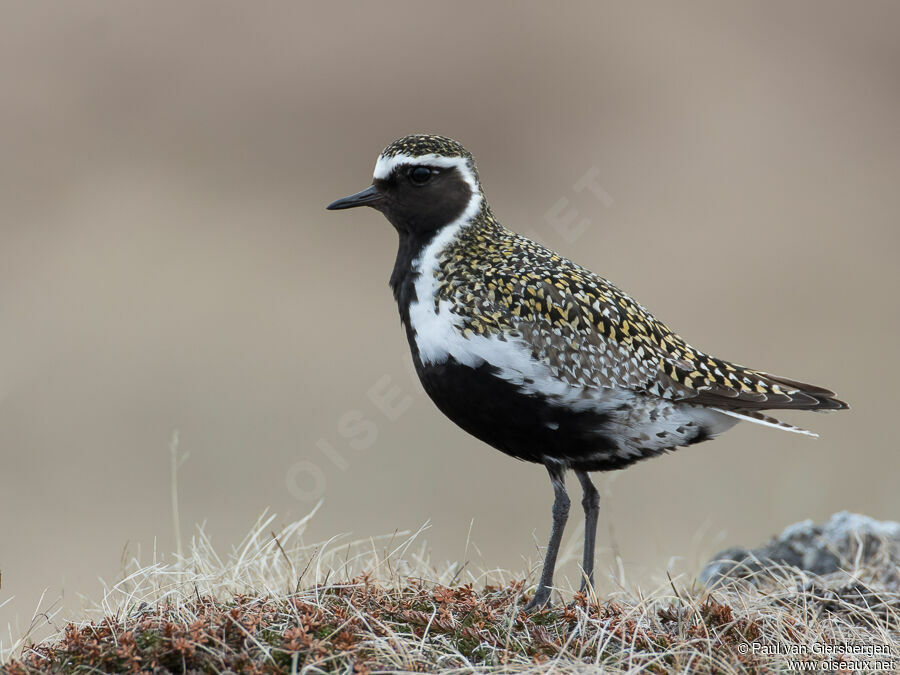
x,y
419,198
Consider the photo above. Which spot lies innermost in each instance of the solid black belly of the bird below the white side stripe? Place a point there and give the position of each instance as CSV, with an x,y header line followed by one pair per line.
x,y
525,426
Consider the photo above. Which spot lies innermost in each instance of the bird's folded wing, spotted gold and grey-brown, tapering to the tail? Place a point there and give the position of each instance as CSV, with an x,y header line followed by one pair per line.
x,y
592,334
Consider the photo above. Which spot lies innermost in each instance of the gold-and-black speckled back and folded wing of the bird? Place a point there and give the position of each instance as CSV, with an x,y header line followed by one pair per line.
x,y
590,333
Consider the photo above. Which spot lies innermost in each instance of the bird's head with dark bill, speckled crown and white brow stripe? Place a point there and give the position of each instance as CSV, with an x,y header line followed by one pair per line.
x,y
421,183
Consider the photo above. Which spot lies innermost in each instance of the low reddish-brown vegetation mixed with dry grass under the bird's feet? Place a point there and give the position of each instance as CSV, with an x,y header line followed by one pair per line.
x,y
362,627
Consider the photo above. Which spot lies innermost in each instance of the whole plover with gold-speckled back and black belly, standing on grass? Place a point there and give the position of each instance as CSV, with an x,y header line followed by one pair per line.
x,y
539,357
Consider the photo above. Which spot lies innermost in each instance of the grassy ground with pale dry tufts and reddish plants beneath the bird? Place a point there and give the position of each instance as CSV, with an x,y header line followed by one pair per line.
x,y
275,605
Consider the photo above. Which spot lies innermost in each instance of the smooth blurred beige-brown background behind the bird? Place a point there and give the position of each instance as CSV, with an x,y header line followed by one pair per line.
x,y
166,262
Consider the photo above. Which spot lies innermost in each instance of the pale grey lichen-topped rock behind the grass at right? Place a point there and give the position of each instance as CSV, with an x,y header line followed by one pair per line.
x,y
845,542
